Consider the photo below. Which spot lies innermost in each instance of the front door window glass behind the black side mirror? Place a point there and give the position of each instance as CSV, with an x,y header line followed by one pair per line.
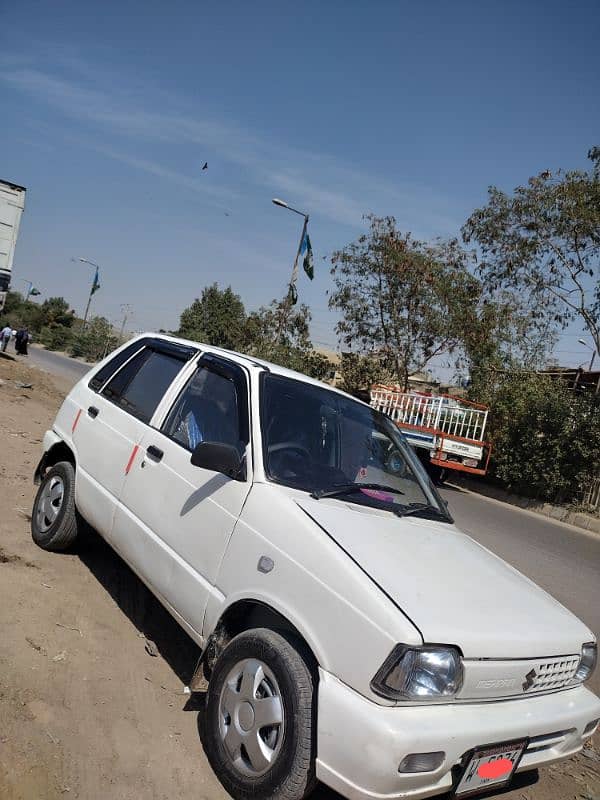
x,y
210,409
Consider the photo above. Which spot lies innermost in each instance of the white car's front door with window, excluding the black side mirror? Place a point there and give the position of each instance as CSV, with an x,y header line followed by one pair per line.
x,y
174,519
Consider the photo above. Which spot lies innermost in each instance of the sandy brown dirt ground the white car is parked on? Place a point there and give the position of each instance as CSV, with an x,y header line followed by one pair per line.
x,y
85,710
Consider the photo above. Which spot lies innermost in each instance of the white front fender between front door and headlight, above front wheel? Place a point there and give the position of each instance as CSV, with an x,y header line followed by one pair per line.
x,y
311,575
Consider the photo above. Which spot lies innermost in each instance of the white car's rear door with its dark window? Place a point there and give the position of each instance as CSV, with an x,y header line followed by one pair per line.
x,y
115,409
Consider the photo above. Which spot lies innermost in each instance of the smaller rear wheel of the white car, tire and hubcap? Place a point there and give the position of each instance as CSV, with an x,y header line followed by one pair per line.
x,y
54,519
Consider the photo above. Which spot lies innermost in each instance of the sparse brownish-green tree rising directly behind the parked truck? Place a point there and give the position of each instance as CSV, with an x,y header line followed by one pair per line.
x,y
400,298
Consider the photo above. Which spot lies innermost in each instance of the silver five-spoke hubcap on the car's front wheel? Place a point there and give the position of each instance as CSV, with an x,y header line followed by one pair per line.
x,y
251,717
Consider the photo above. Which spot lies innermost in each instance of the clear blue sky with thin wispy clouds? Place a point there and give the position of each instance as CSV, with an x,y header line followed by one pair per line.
x,y
341,108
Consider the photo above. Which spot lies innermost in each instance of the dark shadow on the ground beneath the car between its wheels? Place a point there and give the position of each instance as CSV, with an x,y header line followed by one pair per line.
x,y
141,607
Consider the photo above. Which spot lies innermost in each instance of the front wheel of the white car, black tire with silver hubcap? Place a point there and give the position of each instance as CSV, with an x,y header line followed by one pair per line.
x,y
269,762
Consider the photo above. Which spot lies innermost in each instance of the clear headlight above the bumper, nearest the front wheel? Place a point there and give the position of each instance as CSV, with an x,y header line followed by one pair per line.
x,y
420,673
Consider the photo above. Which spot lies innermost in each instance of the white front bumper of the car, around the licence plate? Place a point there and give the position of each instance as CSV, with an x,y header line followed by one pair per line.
x,y
361,744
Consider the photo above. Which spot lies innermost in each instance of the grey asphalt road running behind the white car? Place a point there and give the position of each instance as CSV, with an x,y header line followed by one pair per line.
x,y
560,558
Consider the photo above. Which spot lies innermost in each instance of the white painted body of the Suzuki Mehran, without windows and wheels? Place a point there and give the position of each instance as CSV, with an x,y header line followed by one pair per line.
x,y
354,581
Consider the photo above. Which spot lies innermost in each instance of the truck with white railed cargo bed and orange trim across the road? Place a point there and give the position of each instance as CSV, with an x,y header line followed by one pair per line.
x,y
447,432
